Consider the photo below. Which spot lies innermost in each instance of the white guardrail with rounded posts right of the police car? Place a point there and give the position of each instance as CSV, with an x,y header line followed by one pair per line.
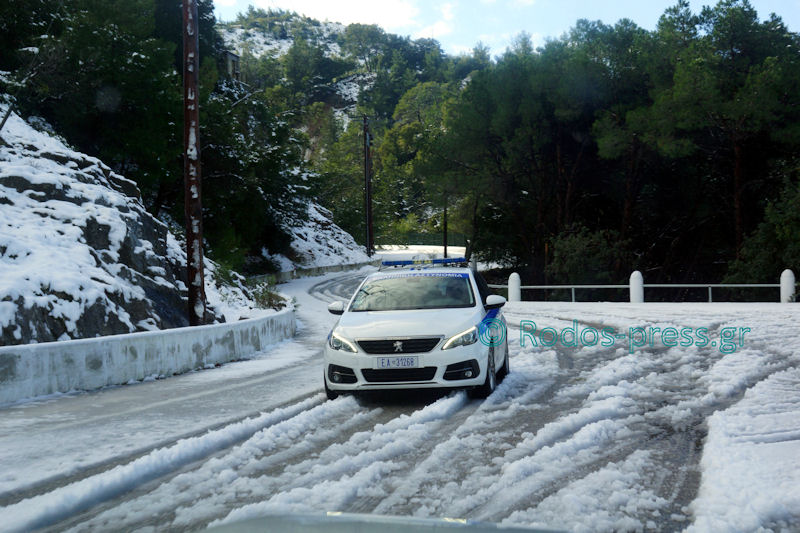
x,y
636,287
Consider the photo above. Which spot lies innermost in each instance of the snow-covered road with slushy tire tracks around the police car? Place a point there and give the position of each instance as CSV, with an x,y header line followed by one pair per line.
x,y
578,437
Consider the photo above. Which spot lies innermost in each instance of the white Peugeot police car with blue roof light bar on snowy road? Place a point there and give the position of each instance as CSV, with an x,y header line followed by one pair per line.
x,y
418,325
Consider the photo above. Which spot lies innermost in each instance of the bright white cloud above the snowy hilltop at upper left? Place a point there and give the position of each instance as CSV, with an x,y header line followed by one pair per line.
x,y
388,14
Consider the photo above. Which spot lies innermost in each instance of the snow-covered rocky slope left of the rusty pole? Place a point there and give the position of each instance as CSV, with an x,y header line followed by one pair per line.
x,y
79,254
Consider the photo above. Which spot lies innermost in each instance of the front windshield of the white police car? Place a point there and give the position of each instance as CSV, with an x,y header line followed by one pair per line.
x,y
414,291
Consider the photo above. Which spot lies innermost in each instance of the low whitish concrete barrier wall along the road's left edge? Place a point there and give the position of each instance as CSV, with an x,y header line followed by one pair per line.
x,y
37,369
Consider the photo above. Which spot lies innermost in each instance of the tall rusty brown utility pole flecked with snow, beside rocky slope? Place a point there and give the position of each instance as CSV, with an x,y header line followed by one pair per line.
x,y
191,165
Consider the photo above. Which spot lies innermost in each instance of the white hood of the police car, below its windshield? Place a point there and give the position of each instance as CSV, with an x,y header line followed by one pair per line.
x,y
411,323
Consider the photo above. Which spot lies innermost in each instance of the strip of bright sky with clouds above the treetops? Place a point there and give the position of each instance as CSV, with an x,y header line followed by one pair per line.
x,y
460,24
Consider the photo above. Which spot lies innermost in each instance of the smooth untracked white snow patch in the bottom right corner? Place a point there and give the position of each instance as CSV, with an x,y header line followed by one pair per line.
x,y
751,460
